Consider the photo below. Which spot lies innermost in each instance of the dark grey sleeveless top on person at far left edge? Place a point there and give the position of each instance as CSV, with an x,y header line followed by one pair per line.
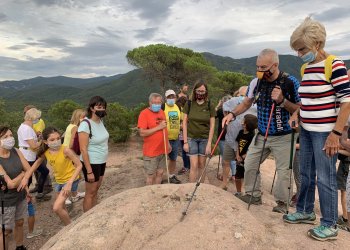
x,y
13,167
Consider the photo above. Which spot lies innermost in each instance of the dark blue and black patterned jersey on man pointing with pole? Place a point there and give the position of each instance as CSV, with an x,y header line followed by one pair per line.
x,y
262,94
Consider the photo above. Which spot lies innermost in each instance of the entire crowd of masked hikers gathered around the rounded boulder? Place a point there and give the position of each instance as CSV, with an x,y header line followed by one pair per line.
x,y
258,121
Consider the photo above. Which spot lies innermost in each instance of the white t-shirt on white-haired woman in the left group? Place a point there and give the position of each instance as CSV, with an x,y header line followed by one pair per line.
x,y
26,133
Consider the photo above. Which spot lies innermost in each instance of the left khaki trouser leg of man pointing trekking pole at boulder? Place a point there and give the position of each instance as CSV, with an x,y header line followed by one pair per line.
x,y
251,165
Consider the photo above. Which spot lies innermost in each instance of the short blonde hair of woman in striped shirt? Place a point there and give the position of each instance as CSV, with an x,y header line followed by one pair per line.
x,y
310,32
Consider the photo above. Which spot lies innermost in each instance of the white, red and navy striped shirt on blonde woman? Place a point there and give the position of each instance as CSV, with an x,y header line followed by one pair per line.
x,y
320,100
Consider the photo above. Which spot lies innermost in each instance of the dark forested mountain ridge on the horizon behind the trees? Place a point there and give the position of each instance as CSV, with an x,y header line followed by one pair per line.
x,y
128,89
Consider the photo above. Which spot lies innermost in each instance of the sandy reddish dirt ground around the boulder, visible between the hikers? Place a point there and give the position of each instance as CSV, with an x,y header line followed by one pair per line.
x,y
125,171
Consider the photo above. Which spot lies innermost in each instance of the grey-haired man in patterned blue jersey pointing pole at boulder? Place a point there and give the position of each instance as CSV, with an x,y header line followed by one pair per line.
x,y
282,89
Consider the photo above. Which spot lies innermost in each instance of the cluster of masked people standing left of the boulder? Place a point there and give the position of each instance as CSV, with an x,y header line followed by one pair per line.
x,y
84,148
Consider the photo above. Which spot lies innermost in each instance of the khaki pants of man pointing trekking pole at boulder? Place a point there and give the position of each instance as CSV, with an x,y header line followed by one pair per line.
x,y
279,146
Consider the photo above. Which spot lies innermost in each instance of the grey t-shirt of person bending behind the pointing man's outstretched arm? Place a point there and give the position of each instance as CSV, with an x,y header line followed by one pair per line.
x,y
235,126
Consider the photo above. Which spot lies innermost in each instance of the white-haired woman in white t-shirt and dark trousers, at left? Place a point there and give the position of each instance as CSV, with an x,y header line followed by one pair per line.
x,y
28,144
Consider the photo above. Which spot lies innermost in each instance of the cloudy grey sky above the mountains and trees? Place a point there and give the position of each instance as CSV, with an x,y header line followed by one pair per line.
x,y
89,38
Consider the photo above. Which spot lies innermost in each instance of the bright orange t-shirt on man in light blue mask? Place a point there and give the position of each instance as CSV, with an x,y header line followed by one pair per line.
x,y
153,144
